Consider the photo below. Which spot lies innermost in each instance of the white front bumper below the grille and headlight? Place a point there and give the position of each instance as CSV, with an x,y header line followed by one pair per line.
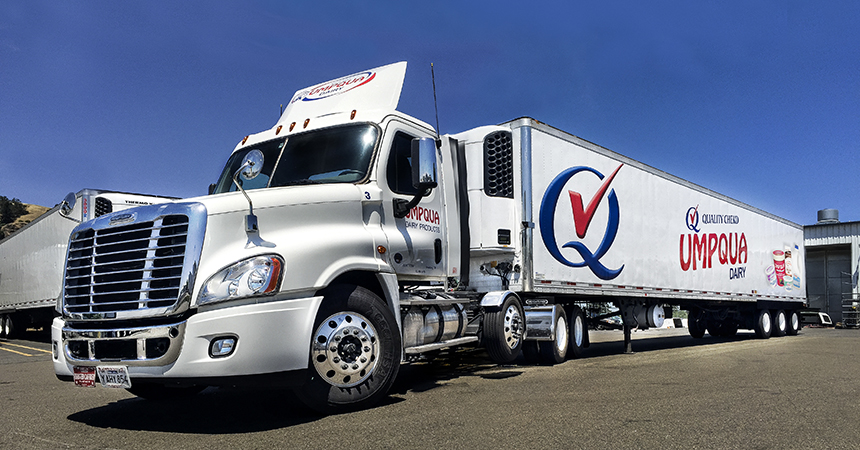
x,y
271,337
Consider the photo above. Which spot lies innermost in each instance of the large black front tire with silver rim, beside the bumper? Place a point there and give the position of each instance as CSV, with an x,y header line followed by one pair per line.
x,y
354,353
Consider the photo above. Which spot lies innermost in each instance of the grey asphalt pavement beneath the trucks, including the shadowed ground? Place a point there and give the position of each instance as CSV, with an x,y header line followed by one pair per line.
x,y
674,392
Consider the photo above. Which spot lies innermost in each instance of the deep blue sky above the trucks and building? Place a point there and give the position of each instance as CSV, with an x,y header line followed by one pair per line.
x,y
756,100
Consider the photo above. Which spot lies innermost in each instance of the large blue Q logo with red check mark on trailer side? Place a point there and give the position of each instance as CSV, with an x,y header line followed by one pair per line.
x,y
581,219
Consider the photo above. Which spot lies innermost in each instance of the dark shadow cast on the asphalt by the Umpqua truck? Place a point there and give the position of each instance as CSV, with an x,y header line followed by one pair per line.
x,y
243,410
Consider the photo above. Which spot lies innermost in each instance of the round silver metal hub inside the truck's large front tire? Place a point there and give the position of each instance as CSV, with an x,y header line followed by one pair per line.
x,y
345,349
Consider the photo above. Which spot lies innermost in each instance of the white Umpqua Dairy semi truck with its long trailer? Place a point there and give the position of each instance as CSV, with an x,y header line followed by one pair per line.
x,y
350,238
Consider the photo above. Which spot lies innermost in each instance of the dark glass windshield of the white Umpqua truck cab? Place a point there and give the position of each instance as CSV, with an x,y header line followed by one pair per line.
x,y
331,155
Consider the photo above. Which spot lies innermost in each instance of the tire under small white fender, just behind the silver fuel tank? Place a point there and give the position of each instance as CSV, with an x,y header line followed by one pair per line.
x,y
504,330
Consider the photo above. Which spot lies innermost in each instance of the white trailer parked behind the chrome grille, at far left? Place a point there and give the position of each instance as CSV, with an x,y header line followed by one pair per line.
x,y
33,258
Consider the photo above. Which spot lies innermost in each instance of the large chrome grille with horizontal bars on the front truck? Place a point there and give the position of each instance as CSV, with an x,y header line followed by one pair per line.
x,y
126,268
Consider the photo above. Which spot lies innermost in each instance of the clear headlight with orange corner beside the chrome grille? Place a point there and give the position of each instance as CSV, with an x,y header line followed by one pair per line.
x,y
259,275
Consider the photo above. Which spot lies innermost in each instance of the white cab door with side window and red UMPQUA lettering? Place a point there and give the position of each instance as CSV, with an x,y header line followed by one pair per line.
x,y
416,247
